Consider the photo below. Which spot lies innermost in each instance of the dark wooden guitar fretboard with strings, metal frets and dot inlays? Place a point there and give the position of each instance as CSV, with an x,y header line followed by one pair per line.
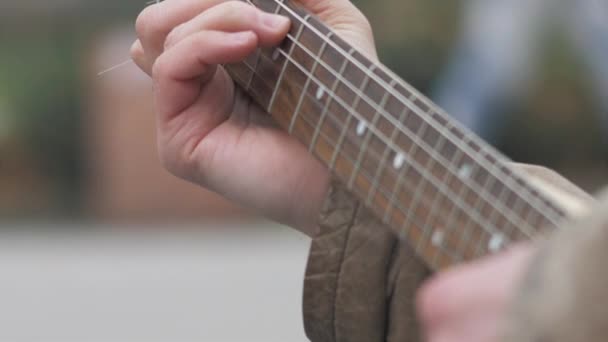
x,y
450,195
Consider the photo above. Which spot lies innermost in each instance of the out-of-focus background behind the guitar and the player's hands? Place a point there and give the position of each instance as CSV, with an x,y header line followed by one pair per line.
x,y
97,242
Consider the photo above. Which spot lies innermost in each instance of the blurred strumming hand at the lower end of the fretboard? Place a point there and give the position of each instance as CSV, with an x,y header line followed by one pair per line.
x,y
470,303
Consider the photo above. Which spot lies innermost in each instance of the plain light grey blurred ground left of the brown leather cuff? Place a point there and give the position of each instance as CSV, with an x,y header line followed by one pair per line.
x,y
133,284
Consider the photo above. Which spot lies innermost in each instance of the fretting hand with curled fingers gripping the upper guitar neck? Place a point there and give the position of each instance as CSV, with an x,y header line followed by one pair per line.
x,y
209,132
